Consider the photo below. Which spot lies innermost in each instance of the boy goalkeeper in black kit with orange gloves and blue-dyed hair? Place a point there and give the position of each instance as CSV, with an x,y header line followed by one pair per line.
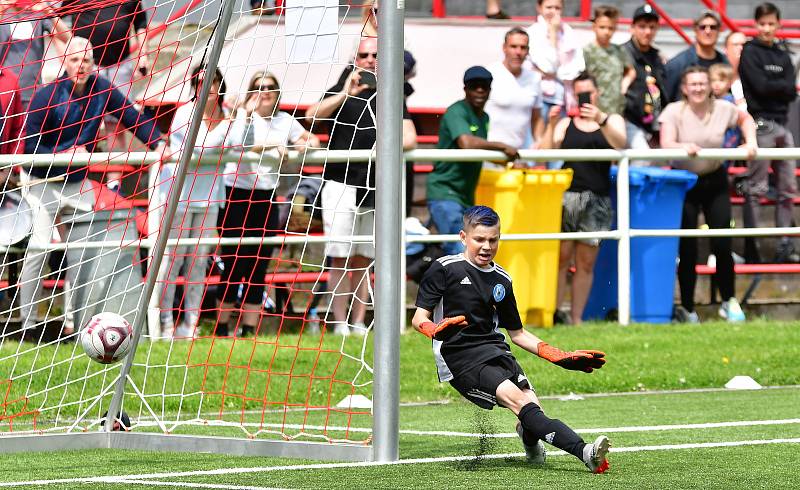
x,y
462,301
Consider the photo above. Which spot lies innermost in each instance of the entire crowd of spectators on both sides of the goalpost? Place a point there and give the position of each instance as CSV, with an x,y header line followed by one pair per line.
x,y
547,92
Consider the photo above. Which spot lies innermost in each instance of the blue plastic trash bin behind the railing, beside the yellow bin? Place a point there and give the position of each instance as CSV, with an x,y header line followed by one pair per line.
x,y
656,202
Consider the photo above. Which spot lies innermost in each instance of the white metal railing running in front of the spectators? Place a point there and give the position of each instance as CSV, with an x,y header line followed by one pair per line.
x,y
623,233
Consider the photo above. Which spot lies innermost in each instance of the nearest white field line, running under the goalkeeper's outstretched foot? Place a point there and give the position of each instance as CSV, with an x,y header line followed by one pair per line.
x,y
364,464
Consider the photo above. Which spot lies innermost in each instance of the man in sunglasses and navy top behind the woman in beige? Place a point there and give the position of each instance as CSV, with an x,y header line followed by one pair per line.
x,y
703,52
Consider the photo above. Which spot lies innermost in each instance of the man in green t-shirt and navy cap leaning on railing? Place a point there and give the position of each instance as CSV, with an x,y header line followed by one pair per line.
x,y
451,185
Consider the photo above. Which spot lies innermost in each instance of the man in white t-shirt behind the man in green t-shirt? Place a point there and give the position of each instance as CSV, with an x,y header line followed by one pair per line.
x,y
514,106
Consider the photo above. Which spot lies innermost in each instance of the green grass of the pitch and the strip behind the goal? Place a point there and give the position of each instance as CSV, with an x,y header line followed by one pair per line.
x,y
640,358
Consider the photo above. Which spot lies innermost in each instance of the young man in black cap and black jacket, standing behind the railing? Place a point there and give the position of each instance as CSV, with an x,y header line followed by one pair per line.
x,y
644,99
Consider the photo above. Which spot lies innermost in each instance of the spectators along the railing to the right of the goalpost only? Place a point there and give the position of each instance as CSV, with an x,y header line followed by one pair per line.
x,y
548,92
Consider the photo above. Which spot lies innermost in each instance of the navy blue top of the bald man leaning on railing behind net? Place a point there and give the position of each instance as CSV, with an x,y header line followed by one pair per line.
x,y
59,120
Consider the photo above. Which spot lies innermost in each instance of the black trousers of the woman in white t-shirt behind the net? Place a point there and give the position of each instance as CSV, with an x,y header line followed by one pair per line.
x,y
247,213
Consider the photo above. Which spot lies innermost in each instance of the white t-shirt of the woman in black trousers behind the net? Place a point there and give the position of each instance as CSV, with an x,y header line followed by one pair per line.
x,y
280,130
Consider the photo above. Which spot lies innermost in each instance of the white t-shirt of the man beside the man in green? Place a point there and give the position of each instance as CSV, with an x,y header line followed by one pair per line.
x,y
511,103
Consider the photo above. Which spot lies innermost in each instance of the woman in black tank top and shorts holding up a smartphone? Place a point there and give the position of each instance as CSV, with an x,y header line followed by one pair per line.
x,y
587,202
